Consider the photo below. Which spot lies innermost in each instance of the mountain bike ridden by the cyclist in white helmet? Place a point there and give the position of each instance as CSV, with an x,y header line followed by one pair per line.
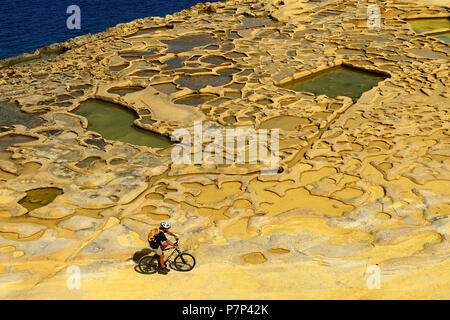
x,y
183,261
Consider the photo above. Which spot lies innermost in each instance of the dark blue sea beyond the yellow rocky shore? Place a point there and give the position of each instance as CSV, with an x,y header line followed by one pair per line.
x,y
26,25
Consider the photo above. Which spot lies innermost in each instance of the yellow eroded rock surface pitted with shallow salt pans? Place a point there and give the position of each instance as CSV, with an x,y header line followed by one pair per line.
x,y
362,182
